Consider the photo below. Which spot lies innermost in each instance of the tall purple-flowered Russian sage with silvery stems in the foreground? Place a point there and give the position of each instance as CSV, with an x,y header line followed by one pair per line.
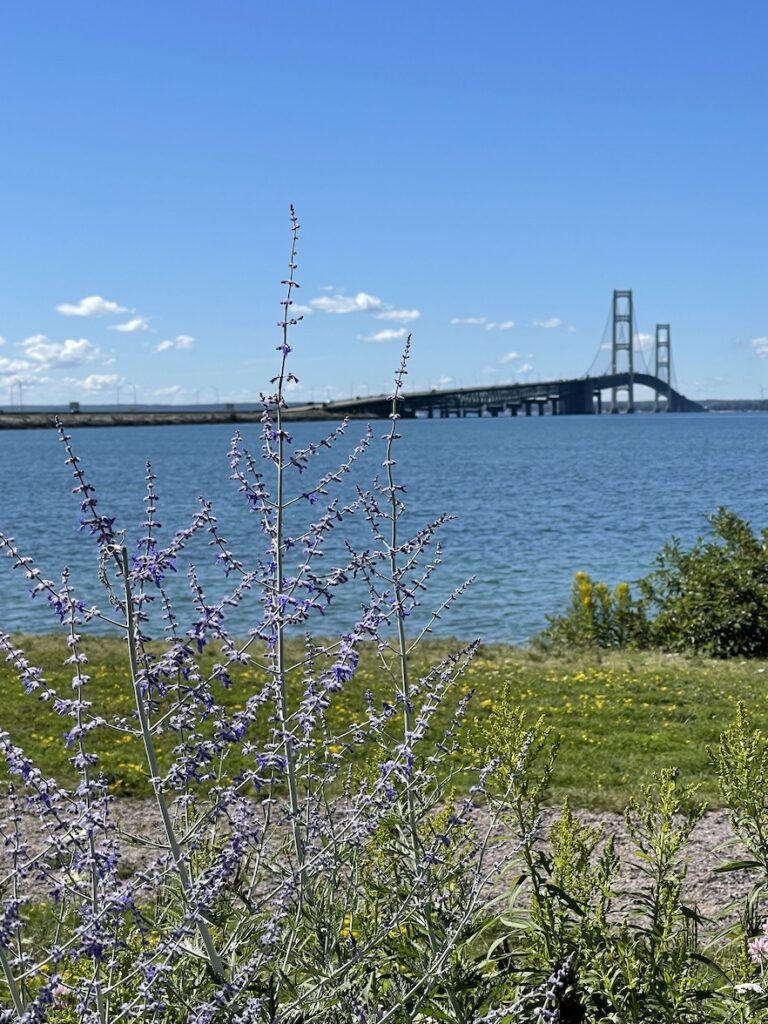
x,y
276,882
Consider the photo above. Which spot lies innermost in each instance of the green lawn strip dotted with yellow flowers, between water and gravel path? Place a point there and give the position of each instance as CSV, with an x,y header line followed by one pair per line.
x,y
622,717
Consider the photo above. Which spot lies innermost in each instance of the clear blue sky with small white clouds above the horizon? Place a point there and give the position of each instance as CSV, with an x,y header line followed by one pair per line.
x,y
482,176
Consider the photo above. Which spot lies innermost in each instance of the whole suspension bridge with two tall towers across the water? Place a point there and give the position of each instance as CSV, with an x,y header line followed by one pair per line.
x,y
610,392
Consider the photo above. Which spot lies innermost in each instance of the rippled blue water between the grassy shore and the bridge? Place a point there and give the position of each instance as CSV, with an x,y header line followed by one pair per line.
x,y
536,501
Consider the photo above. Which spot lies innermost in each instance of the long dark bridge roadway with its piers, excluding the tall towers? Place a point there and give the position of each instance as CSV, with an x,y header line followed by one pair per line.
x,y
564,398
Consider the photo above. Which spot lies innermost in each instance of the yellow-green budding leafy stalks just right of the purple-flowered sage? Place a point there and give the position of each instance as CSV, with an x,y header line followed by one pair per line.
x,y
629,965
